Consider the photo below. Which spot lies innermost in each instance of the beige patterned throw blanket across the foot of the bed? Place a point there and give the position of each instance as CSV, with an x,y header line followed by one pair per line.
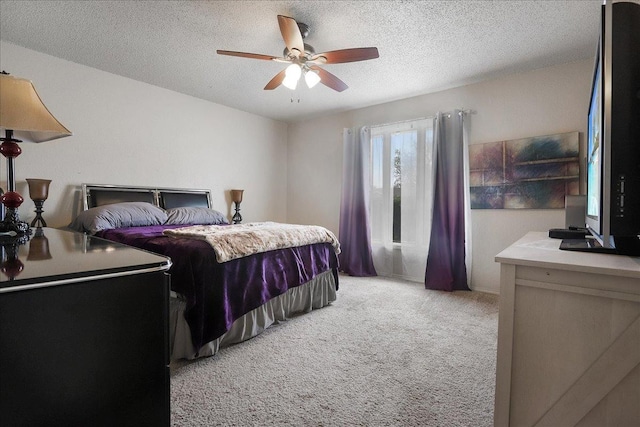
x,y
239,240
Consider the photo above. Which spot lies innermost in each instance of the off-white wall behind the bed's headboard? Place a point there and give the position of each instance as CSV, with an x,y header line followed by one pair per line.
x,y
131,133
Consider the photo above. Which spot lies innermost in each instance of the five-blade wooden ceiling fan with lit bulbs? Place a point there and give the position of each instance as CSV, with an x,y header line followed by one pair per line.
x,y
304,60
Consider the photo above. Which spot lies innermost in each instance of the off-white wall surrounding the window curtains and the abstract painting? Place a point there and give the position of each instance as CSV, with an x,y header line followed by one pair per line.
x,y
542,102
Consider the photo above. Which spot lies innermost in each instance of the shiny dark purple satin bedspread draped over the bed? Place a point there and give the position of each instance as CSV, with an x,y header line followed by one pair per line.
x,y
219,293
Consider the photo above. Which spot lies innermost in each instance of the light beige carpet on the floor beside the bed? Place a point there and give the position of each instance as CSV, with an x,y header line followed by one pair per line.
x,y
386,353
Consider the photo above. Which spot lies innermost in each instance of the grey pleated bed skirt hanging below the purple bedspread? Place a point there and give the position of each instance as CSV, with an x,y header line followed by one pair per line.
x,y
316,293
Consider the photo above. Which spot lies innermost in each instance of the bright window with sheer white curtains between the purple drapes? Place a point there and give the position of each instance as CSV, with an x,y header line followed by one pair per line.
x,y
401,197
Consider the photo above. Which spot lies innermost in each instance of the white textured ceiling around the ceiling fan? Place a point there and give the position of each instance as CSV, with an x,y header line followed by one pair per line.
x,y
424,46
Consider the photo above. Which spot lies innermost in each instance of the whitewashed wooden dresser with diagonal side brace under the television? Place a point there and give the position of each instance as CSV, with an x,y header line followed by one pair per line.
x,y
568,337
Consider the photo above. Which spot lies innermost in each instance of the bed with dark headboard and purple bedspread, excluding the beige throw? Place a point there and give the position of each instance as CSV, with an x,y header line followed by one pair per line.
x,y
214,302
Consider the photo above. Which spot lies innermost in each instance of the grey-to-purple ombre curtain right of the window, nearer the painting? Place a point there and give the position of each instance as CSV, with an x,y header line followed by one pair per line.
x,y
446,268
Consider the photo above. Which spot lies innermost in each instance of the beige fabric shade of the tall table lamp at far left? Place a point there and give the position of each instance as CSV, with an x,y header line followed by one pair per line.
x,y
23,112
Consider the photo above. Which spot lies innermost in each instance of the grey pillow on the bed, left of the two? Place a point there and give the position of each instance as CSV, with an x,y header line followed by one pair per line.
x,y
118,215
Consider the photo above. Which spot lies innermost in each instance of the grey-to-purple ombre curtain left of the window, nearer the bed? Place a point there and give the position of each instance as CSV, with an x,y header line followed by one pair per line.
x,y
355,241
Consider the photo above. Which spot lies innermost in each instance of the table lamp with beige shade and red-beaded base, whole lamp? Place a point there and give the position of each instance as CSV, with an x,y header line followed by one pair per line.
x,y
23,117
